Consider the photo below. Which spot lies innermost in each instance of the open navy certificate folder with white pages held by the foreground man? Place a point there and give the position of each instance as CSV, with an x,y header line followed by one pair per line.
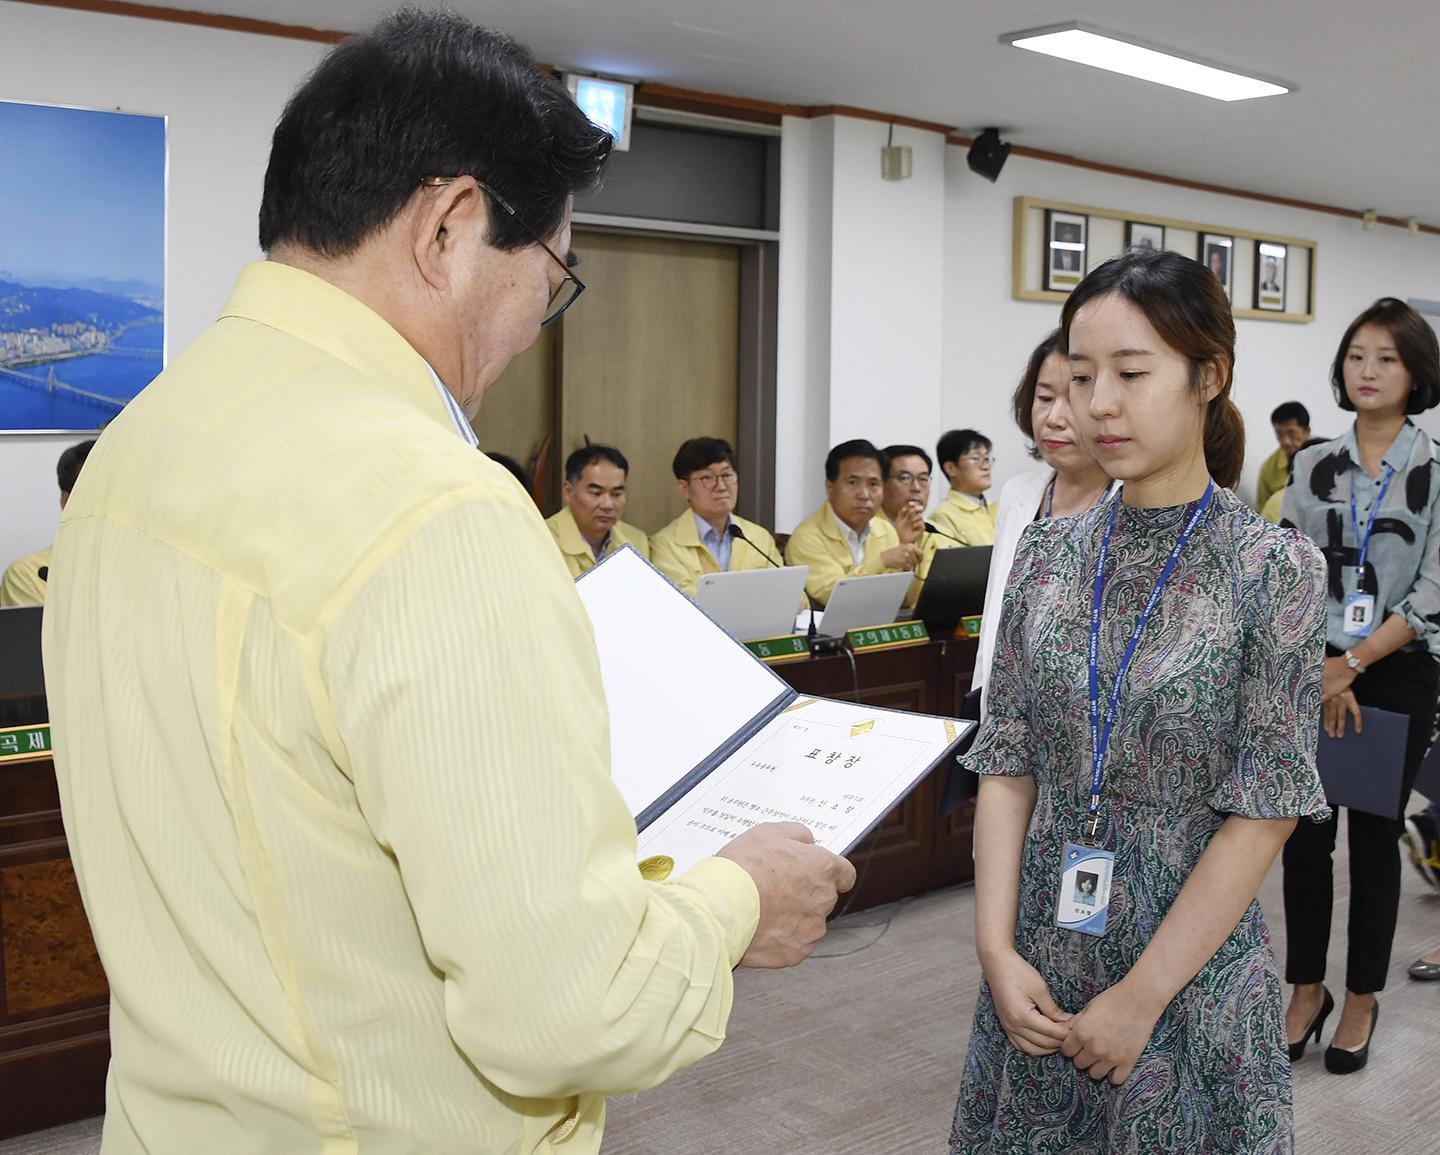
x,y
708,741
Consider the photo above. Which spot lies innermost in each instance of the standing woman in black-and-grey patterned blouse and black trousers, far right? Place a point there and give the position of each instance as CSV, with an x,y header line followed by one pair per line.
x,y
1369,500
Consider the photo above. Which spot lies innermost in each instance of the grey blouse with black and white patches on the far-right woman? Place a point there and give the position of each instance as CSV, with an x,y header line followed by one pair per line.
x,y
1403,561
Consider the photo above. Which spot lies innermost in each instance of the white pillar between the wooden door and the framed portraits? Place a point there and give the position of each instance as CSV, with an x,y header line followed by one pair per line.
x,y
860,299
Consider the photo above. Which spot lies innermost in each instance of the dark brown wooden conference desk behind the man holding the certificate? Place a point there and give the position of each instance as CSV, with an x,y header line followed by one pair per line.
x,y
54,999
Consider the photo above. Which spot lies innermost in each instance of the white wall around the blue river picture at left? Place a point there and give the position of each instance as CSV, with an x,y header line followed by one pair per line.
x,y
222,93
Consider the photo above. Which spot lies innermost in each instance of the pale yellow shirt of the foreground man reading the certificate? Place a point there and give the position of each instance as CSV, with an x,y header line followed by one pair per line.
x,y
356,886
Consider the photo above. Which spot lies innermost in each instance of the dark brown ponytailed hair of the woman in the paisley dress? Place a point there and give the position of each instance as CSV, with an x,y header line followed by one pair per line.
x,y
1187,306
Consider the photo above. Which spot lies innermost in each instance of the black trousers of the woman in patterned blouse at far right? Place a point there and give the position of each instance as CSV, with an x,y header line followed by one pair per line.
x,y
1405,683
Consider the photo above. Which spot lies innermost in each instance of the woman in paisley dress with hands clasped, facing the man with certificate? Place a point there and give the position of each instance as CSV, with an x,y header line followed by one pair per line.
x,y
1166,1035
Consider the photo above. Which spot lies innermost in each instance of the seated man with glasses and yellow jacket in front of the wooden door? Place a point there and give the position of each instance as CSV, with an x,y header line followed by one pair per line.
x,y
703,539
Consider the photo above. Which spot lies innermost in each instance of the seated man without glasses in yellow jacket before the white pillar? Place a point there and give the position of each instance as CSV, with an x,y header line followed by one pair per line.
x,y
845,538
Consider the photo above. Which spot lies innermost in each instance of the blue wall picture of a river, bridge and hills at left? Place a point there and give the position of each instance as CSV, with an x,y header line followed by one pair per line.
x,y
83,264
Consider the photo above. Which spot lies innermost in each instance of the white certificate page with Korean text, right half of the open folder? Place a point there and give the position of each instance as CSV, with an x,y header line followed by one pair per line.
x,y
837,767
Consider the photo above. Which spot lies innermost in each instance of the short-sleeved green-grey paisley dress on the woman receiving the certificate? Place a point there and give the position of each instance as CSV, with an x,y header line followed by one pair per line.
x,y
1218,716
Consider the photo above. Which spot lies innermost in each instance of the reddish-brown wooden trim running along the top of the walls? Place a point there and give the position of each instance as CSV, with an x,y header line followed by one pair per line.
x,y
742,109
